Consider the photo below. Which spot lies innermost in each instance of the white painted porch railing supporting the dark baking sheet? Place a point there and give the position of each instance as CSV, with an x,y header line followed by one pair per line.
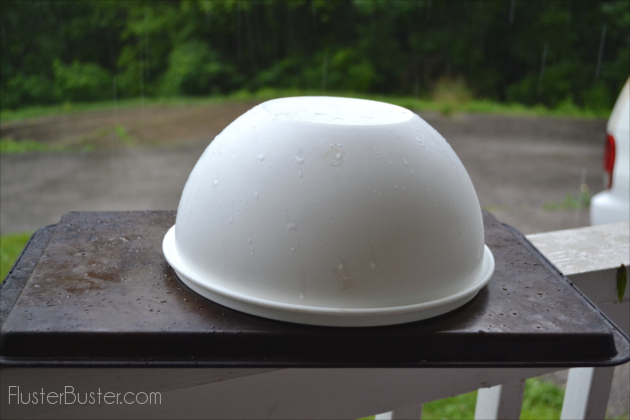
x,y
588,256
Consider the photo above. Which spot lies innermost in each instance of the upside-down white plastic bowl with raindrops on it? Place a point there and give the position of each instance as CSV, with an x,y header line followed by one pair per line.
x,y
331,211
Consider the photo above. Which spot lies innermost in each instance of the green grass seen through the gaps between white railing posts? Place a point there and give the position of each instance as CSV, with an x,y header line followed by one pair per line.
x,y
541,400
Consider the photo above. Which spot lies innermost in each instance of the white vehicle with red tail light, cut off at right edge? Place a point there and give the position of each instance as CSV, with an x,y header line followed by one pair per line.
x,y
613,204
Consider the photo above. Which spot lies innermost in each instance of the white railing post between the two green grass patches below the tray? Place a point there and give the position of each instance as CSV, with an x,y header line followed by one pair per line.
x,y
500,402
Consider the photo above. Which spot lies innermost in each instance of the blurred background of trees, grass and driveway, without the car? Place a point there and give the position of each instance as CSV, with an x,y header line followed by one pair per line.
x,y
107,105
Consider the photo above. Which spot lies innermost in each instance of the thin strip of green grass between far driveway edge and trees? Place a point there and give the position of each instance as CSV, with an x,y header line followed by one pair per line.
x,y
447,104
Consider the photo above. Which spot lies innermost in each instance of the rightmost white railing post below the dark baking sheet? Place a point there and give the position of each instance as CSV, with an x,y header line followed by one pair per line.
x,y
586,395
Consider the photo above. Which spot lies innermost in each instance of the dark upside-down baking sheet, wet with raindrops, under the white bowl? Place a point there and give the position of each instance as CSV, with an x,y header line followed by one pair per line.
x,y
102,292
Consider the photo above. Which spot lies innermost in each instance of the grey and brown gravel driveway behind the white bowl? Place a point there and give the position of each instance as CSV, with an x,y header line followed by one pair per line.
x,y
523,167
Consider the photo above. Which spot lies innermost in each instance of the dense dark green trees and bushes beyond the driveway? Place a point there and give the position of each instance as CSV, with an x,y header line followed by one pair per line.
x,y
531,52
